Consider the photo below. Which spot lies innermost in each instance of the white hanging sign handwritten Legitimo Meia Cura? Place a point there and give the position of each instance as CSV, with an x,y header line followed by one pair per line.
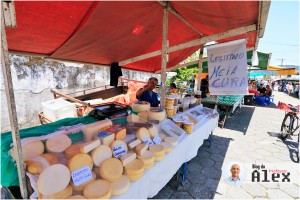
x,y
227,68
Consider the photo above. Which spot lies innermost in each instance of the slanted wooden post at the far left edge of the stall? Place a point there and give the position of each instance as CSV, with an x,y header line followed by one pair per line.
x,y
11,104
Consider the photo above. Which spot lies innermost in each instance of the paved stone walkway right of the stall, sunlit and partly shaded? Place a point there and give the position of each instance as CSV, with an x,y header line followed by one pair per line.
x,y
249,137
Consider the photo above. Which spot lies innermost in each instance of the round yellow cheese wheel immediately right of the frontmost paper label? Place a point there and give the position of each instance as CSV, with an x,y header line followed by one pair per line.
x,y
111,169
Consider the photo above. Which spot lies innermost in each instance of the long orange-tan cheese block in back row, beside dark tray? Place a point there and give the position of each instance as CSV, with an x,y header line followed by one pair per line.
x,y
91,130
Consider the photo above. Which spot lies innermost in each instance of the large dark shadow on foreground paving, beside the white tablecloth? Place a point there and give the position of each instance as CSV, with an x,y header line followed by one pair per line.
x,y
203,173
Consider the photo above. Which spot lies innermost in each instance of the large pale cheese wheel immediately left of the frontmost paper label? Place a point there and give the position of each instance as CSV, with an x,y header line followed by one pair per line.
x,y
53,179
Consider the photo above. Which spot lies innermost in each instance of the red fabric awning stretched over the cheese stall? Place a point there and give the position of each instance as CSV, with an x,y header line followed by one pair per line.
x,y
106,32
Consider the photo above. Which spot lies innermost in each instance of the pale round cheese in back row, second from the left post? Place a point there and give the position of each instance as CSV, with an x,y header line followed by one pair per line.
x,y
58,144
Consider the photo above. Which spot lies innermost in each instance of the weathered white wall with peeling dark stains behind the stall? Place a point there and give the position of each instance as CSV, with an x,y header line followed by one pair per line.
x,y
34,77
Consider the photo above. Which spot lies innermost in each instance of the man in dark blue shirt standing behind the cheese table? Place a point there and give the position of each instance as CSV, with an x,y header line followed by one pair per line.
x,y
146,93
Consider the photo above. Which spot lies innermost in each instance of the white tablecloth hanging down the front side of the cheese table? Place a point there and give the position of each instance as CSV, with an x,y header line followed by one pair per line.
x,y
157,177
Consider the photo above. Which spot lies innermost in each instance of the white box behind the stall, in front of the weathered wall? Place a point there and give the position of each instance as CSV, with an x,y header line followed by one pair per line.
x,y
58,109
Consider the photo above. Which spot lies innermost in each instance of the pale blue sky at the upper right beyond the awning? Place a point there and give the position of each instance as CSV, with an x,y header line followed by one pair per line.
x,y
281,37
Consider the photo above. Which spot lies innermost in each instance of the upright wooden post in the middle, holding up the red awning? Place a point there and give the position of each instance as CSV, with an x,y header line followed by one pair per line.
x,y
164,57
